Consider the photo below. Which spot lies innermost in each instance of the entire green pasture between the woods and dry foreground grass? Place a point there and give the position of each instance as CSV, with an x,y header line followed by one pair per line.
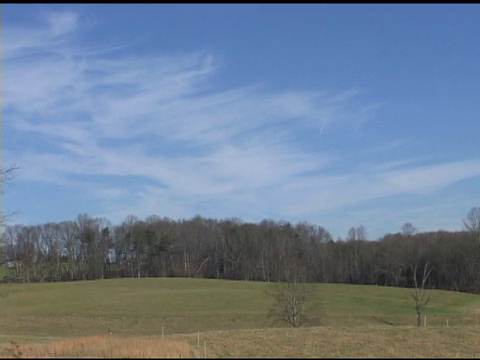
x,y
36,312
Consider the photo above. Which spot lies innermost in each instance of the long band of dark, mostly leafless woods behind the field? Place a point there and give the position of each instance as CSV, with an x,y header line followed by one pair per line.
x,y
92,248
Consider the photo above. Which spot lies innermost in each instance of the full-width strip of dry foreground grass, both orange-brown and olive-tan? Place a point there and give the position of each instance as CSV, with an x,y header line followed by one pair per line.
x,y
317,342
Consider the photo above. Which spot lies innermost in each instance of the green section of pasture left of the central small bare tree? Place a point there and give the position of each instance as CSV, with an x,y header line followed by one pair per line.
x,y
129,306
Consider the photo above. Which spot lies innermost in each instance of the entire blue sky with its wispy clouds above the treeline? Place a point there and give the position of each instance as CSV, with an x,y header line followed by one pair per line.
x,y
339,115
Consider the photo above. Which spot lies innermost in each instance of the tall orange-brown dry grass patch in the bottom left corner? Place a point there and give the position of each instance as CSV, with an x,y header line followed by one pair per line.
x,y
104,346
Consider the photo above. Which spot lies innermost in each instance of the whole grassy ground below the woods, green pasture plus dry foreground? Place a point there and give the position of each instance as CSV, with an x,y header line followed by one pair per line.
x,y
197,317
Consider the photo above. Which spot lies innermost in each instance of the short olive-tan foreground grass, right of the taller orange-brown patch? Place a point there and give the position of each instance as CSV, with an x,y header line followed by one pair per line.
x,y
358,341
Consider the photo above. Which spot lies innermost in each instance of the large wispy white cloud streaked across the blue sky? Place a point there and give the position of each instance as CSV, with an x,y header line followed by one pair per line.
x,y
88,119
